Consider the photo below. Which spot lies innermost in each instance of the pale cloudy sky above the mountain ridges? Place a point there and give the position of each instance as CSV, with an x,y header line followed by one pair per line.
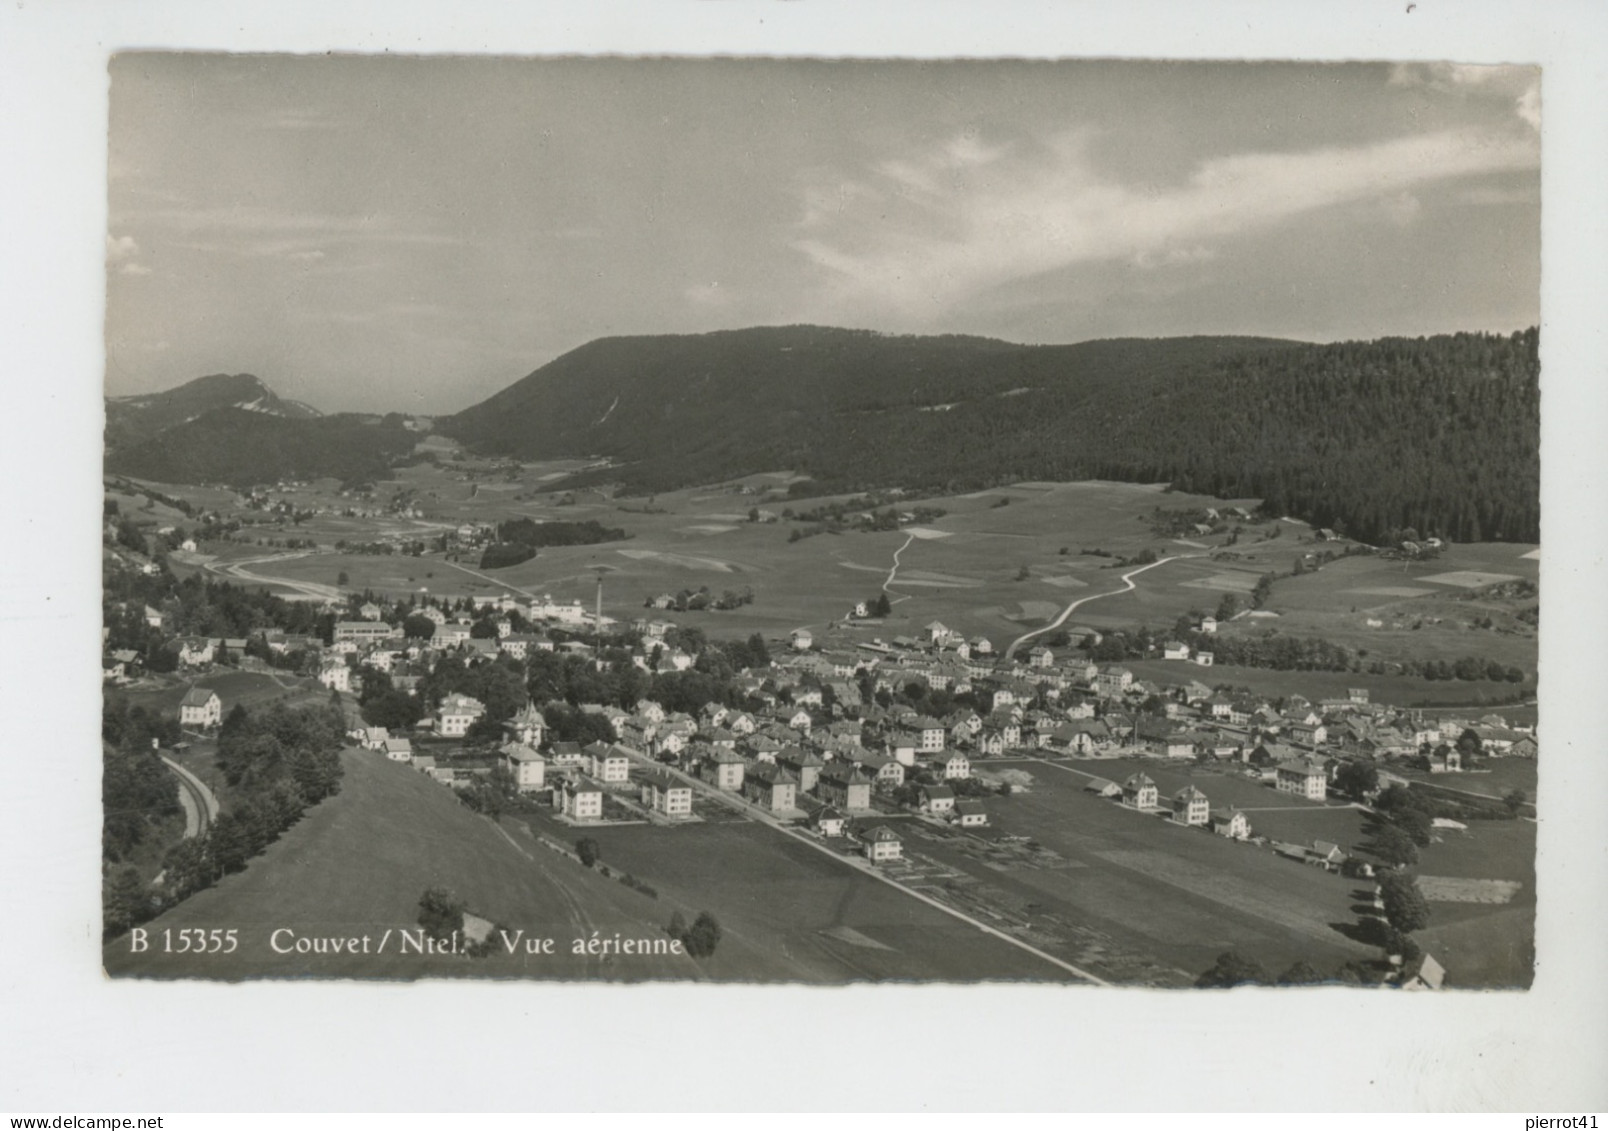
x,y
417,234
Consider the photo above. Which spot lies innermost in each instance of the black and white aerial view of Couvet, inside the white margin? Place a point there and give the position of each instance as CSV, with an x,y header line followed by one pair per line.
x,y
806,520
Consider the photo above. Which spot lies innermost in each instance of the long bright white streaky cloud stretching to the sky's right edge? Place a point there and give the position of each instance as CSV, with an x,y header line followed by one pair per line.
x,y
922,234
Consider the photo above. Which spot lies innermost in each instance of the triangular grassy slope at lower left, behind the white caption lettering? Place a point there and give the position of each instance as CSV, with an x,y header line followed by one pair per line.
x,y
358,865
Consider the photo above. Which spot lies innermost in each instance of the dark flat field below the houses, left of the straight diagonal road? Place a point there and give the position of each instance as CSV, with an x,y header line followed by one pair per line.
x,y
790,913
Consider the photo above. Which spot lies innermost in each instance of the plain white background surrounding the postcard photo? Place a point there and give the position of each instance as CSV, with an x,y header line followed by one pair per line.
x,y
72,1042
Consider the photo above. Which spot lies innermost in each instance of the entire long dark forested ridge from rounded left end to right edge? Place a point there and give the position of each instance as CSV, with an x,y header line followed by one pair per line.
x,y
1437,434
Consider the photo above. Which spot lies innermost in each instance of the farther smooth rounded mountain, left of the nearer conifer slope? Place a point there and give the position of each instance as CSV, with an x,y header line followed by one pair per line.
x,y
851,408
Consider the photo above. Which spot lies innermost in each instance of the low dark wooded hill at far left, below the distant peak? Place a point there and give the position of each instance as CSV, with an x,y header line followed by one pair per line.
x,y
245,448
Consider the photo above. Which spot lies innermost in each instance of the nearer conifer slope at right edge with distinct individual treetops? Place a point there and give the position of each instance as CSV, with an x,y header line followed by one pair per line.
x,y
1442,435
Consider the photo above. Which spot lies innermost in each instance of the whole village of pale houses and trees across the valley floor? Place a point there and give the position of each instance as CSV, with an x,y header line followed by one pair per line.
x,y
876,751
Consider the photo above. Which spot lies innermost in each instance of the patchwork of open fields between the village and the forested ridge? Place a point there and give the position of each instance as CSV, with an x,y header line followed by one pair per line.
x,y
962,569
